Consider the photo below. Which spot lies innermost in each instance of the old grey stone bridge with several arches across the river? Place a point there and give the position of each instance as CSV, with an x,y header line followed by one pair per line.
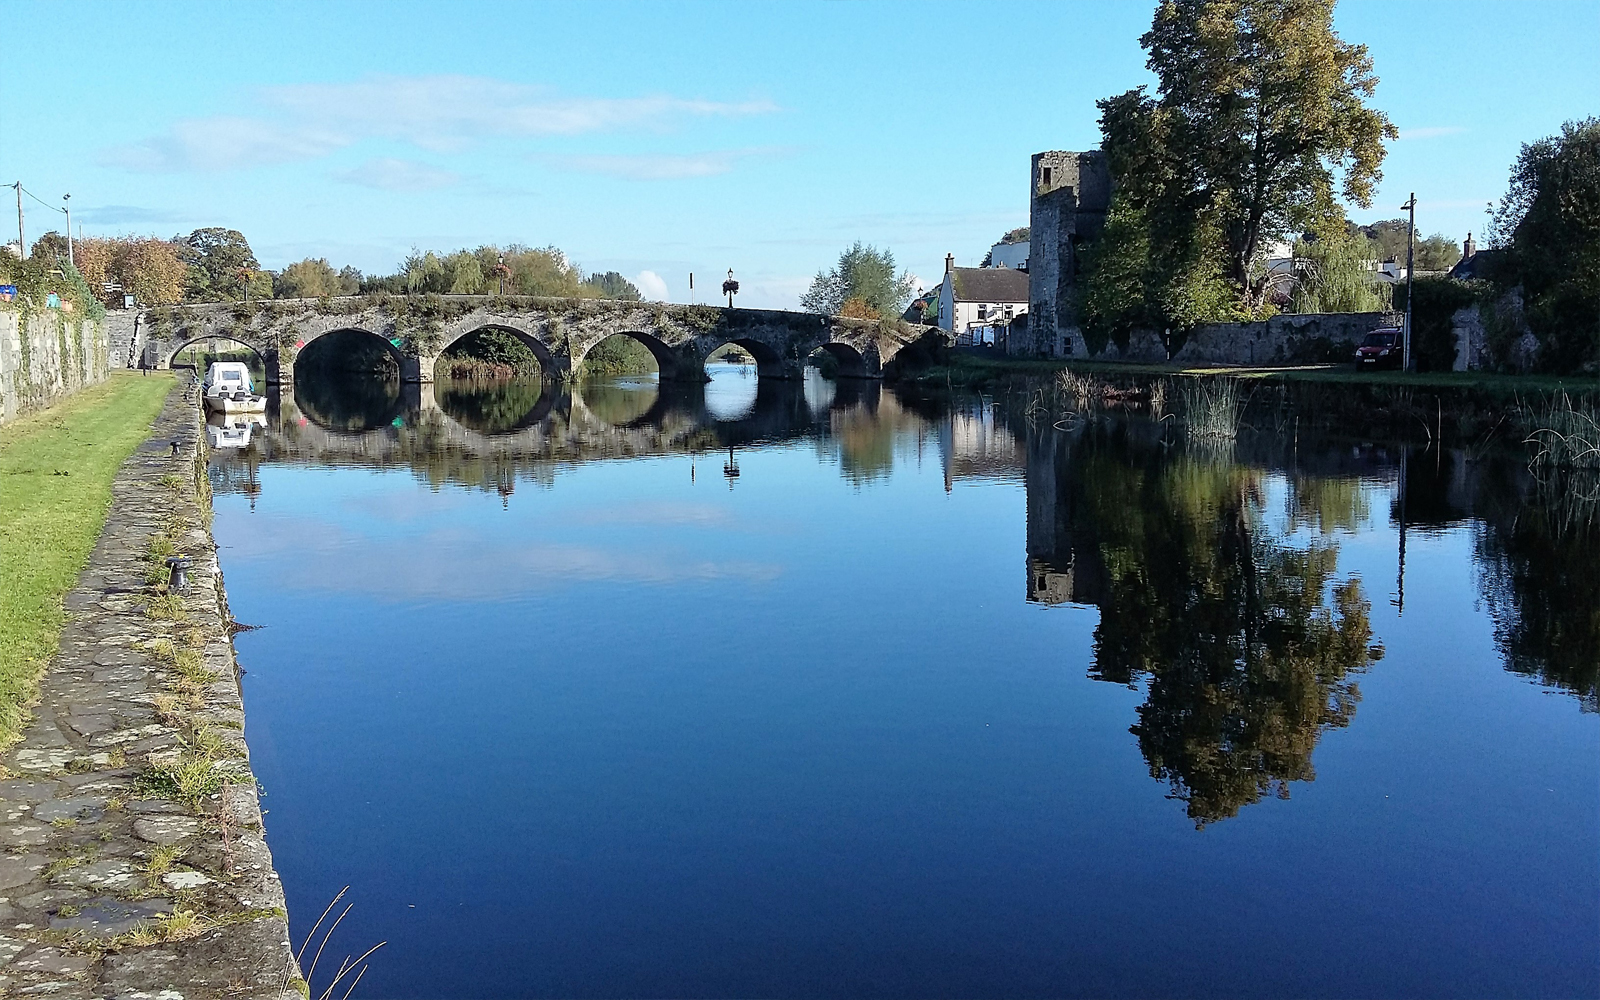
x,y
417,330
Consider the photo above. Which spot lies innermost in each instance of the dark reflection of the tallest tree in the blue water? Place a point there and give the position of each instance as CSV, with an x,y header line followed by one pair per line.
x,y
1249,646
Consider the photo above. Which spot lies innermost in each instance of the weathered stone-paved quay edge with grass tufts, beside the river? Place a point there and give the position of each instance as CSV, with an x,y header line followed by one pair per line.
x,y
135,858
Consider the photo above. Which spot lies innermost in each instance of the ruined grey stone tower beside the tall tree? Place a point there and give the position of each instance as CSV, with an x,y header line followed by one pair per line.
x,y
1068,201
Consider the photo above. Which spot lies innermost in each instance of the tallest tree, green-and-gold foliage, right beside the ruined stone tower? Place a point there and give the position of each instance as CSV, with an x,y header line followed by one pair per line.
x,y
1260,118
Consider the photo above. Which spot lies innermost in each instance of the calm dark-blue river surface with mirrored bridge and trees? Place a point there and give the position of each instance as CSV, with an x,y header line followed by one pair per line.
x,y
823,692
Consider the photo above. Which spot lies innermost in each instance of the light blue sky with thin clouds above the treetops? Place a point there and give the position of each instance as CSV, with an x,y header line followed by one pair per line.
x,y
679,137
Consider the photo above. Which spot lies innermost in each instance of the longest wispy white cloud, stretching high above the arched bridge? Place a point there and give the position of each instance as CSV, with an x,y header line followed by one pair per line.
x,y
444,113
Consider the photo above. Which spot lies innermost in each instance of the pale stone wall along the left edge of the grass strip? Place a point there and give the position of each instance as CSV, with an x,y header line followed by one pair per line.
x,y
46,356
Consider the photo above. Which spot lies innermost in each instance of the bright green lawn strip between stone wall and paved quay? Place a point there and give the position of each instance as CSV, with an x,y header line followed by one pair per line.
x,y
57,470
